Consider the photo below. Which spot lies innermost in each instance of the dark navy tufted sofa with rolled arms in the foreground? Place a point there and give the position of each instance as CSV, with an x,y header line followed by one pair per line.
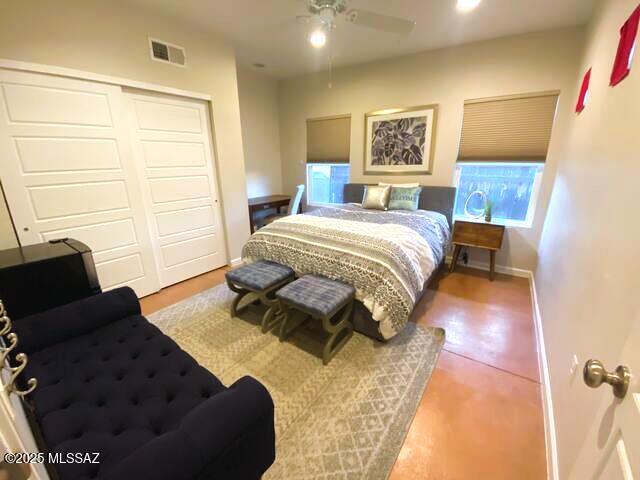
x,y
111,382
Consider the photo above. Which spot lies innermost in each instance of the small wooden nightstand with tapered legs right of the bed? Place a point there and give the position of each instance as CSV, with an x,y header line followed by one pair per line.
x,y
479,235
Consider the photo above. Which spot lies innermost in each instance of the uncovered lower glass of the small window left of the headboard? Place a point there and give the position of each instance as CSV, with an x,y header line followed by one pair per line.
x,y
325,182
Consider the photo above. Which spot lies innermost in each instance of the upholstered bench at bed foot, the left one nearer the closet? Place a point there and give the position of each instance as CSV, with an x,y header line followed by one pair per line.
x,y
262,278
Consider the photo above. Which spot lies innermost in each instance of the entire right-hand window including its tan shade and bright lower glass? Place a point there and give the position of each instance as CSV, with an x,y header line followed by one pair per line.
x,y
503,148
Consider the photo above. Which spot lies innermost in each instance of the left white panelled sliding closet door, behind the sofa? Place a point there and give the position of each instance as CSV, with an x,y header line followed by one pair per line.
x,y
67,171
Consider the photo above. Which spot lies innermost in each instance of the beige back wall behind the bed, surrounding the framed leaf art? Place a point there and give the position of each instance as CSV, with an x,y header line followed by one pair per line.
x,y
519,64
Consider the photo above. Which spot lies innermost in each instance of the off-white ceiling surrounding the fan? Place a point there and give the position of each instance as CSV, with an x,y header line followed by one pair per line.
x,y
266,31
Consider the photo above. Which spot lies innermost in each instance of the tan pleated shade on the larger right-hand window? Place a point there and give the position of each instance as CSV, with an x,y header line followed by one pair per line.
x,y
508,128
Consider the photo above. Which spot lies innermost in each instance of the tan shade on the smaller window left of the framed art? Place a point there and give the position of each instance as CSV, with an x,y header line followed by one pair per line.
x,y
329,140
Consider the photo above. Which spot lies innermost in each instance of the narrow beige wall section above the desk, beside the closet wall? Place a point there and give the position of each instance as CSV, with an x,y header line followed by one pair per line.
x,y
258,96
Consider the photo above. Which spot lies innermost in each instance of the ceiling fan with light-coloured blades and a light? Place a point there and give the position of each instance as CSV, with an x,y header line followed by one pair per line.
x,y
328,10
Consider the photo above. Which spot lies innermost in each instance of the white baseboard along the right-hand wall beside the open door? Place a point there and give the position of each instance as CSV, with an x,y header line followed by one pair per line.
x,y
545,390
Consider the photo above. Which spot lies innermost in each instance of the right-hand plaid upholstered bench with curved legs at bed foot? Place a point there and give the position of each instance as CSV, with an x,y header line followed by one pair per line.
x,y
323,299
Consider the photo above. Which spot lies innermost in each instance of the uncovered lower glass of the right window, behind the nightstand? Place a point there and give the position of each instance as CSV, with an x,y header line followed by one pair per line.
x,y
512,189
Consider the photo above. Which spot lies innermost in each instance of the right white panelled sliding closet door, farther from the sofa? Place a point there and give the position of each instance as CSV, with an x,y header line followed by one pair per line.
x,y
173,151
